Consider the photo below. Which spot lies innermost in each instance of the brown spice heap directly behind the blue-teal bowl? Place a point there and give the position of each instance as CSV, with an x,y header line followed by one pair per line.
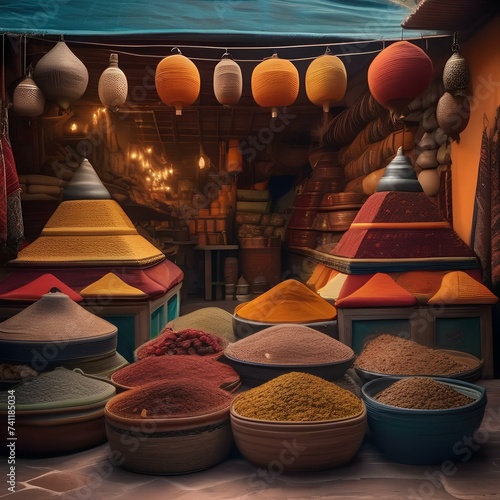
x,y
393,355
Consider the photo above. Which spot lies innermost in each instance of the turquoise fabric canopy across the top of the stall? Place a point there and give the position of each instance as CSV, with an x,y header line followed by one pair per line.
x,y
363,19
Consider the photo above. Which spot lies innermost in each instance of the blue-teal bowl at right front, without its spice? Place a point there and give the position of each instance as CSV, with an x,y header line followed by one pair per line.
x,y
423,437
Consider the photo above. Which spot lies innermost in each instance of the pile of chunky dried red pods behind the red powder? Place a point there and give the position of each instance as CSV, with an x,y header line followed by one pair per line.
x,y
186,341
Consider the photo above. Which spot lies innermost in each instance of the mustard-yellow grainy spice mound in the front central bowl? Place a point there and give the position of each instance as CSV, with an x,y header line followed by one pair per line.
x,y
298,397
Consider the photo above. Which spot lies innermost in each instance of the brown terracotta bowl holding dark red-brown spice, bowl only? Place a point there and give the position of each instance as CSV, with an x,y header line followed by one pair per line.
x,y
170,445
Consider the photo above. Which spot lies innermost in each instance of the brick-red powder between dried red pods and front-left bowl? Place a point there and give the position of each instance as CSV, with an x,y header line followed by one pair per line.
x,y
195,368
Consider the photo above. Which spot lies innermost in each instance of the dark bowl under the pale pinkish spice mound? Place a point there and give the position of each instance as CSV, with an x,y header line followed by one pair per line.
x,y
253,374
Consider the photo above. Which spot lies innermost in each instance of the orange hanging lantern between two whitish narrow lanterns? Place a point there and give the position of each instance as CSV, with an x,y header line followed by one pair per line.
x,y
177,81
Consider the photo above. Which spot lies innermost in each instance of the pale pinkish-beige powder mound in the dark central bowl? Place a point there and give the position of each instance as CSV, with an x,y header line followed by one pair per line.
x,y
289,344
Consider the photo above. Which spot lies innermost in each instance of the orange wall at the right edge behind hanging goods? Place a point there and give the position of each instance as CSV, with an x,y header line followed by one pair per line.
x,y
482,52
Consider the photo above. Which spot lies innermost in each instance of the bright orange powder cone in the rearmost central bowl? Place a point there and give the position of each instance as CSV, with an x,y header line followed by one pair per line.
x,y
288,302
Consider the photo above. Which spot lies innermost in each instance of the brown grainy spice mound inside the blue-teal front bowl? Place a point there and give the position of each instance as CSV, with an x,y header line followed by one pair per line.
x,y
422,393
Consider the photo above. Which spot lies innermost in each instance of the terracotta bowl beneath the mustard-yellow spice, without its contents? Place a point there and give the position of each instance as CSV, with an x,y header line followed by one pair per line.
x,y
299,446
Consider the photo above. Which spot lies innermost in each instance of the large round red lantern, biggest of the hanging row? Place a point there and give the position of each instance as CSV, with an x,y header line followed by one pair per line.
x,y
399,74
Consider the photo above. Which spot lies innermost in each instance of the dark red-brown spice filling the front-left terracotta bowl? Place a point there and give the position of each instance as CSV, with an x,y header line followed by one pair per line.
x,y
169,399
